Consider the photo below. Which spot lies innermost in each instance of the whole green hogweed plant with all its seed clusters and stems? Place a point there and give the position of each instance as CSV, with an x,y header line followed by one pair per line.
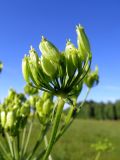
x,y
60,77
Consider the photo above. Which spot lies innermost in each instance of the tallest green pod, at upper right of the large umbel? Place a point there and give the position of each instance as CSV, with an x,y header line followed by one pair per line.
x,y
82,39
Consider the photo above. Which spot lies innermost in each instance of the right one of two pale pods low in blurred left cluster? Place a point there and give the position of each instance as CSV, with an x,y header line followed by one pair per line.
x,y
10,119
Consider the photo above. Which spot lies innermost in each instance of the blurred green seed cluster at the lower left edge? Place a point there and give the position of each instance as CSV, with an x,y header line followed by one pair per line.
x,y
14,113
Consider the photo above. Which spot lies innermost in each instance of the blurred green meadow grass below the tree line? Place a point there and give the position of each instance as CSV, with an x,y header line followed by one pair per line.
x,y
76,142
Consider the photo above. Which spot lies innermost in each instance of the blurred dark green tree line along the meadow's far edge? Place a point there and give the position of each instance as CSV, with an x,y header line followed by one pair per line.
x,y
100,111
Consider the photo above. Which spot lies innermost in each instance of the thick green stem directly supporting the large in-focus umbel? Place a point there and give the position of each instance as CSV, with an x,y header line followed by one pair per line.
x,y
55,127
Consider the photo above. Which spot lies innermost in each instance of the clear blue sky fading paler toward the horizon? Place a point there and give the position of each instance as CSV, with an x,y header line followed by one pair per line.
x,y
22,23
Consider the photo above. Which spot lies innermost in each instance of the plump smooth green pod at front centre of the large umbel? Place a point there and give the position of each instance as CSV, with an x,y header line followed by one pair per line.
x,y
48,67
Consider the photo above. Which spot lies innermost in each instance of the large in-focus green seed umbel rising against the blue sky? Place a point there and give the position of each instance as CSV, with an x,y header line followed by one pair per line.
x,y
58,72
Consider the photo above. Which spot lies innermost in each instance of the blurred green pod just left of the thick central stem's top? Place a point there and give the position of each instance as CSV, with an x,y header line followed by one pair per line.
x,y
47,107
